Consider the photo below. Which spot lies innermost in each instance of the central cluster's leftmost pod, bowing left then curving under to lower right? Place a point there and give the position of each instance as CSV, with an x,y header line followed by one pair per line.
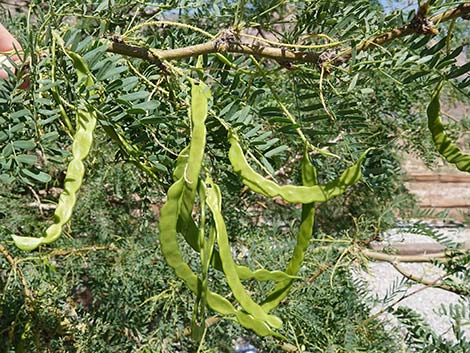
x,y
168,242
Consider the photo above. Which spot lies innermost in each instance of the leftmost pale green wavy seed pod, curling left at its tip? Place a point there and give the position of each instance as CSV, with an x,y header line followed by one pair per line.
x,y
82,141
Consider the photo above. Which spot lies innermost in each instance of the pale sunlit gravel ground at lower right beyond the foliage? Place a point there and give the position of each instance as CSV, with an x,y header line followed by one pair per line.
x,y
381,276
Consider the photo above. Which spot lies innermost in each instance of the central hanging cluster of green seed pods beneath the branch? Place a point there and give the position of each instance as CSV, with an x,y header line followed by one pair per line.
x,y
176,216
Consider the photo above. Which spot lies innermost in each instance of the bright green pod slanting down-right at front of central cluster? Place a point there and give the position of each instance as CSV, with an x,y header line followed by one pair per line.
x,y
239,292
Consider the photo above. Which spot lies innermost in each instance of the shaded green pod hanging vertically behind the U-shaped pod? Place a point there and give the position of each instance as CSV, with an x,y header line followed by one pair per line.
x,y
280,291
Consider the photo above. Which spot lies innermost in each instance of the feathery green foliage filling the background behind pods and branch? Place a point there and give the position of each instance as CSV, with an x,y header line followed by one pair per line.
x,y
124,298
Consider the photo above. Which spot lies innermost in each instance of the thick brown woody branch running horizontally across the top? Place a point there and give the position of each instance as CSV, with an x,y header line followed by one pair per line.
x,y
419,25
